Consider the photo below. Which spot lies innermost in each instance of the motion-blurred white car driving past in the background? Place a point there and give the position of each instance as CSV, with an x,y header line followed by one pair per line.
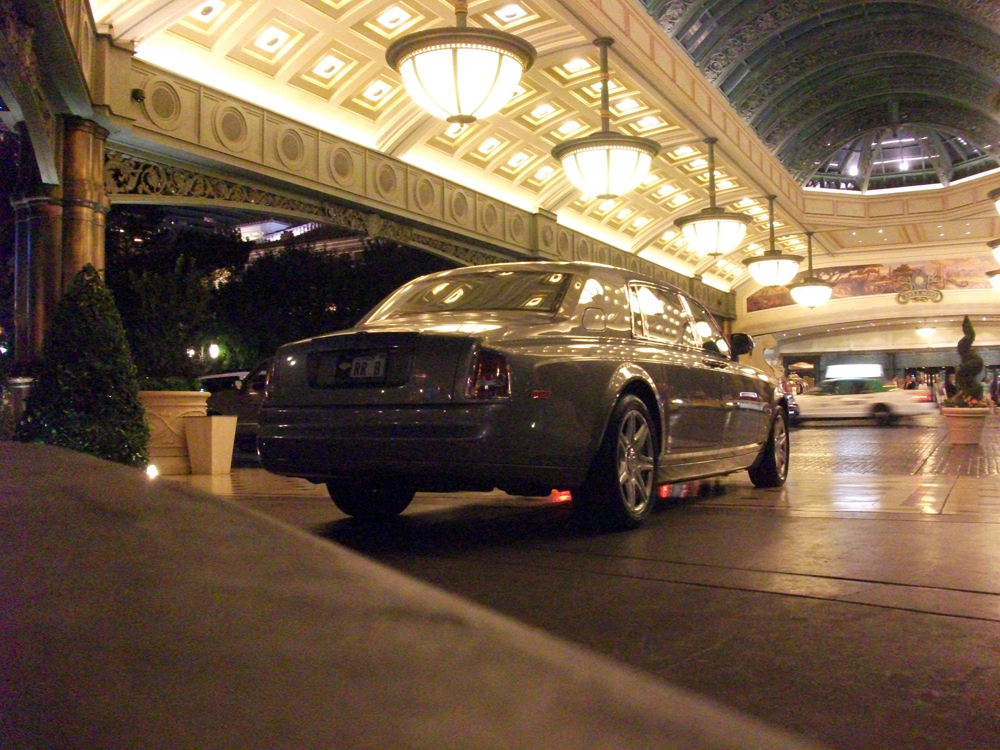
x,y
862,398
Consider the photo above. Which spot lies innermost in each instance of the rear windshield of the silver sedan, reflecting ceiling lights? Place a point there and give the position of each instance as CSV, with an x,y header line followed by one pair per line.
x,y
536,291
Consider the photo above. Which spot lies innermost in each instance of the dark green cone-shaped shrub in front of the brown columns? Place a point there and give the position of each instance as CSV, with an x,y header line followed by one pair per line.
x,y
86,394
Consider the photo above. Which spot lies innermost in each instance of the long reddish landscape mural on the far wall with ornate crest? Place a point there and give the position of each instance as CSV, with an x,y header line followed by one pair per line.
x,y
925,282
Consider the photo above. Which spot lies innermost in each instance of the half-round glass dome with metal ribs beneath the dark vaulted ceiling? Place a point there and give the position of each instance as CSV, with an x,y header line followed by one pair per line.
x,y
902,156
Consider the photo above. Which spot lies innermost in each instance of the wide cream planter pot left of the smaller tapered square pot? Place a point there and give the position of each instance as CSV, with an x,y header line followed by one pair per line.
x,y
165,413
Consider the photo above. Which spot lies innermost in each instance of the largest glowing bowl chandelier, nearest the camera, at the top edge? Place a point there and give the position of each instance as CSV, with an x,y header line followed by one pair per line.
x,y
460,74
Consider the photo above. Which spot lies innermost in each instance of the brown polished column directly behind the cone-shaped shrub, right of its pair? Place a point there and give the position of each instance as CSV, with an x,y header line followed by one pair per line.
x,y
84,200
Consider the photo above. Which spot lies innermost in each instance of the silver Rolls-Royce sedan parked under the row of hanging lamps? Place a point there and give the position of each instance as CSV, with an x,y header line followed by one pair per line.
x,y
524,377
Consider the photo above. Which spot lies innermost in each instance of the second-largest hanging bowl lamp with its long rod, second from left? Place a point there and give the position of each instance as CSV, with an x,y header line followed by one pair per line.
x,y
606,164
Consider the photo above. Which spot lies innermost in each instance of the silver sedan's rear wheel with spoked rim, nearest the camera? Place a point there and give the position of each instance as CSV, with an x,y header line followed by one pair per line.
x,y
618,492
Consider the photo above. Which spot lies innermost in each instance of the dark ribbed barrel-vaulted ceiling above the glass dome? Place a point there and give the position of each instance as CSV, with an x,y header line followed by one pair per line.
x,y
811,76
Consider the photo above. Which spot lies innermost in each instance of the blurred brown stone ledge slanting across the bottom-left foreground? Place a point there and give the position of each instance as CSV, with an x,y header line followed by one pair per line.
x,y
140,613
